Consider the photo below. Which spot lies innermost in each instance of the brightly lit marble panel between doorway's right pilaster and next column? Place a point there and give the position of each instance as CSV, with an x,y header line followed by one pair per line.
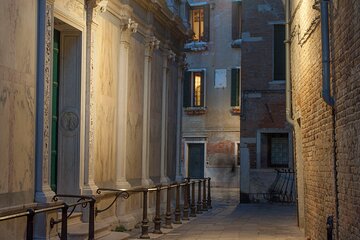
x,y
106,72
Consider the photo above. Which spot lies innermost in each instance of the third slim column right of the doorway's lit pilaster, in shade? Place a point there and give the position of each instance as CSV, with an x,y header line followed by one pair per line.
x,y
167,57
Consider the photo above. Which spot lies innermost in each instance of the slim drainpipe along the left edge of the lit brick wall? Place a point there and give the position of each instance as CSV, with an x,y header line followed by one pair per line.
x,y
289,118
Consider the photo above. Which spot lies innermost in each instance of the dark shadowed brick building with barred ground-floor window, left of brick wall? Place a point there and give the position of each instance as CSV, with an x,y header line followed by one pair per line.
x,y
265,137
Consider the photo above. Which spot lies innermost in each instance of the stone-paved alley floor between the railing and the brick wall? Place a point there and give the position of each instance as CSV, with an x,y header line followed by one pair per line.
x,y
230,221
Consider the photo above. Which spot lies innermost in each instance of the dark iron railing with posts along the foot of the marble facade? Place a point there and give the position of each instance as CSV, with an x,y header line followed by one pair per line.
x,y
187,187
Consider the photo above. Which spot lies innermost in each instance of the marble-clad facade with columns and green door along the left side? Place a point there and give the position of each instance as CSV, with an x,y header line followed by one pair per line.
x,y
80,104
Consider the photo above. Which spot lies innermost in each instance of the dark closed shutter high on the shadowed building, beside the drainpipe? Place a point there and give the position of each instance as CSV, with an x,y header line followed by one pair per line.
x,y
279,52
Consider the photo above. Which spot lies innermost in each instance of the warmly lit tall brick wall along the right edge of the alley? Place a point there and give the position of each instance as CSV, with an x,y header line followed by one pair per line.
x,y
319,144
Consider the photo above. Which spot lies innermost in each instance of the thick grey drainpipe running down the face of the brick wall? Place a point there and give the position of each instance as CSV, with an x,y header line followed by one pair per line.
x,y
325,53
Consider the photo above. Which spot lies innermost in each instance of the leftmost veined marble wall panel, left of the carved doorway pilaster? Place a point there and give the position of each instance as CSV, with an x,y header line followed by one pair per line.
x,y
18,21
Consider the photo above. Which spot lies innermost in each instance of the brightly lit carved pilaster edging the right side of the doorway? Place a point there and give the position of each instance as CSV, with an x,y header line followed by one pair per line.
x,y
93,7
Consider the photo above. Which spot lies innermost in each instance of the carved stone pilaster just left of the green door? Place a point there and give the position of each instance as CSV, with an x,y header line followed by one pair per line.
x,y
43,192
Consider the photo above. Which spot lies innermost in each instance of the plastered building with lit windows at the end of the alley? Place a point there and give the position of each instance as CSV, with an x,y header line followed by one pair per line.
x,y
210,122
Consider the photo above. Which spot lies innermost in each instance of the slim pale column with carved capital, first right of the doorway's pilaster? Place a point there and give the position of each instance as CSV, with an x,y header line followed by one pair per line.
x,y
127,27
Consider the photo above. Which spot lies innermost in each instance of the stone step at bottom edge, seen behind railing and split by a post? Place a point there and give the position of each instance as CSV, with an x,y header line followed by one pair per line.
x,y
80,231
